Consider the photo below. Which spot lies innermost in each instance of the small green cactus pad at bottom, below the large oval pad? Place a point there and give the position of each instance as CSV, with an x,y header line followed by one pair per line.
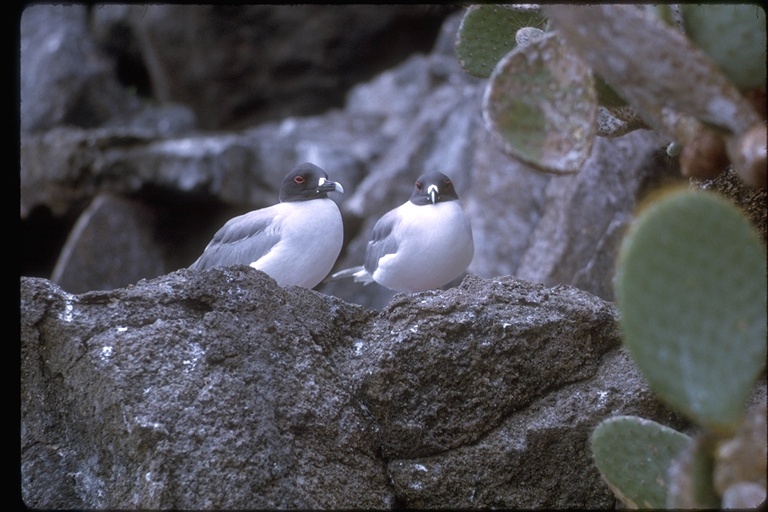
x,y
633,455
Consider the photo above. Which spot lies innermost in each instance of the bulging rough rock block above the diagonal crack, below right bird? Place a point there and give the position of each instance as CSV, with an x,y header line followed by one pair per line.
x,y
476,353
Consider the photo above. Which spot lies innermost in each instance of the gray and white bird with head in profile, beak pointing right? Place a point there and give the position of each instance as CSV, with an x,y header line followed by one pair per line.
x,y
295,241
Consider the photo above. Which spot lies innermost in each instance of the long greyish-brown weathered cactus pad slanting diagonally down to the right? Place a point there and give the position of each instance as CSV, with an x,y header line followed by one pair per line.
x,y
652,65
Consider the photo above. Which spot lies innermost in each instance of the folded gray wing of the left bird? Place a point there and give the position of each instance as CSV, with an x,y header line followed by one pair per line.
x,y
241,241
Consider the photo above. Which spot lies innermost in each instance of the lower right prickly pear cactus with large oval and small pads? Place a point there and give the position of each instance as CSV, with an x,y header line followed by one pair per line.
x,y
690,289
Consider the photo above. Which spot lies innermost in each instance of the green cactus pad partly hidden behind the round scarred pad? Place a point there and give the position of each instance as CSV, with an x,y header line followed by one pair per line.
x,y
487,33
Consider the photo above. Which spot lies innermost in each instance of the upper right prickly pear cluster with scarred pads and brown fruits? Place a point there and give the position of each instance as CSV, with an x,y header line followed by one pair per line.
x,y
646,73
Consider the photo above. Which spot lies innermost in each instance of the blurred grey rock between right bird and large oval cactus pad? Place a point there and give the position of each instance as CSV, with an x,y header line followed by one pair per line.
x,y
577,239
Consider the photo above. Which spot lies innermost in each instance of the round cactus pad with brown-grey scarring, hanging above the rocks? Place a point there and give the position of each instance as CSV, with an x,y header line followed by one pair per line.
x,y
541,104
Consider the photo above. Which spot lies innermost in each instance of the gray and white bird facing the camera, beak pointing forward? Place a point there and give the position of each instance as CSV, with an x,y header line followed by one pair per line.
x,y
422,244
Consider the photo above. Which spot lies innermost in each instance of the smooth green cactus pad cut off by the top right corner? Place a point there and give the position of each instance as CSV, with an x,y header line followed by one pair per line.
x,y
734,37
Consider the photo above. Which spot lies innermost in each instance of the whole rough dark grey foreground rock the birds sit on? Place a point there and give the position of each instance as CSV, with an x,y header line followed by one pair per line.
x,y
218,389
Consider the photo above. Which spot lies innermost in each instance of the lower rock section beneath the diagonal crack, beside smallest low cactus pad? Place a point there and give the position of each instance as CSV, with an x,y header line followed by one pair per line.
x,y
510,467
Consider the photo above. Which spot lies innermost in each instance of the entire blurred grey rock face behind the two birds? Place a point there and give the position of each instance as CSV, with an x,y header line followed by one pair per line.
x,y
144,128
